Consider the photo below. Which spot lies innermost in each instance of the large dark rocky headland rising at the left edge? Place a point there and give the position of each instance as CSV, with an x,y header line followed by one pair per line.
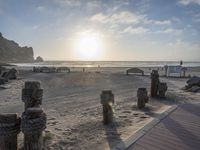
x,y
10,51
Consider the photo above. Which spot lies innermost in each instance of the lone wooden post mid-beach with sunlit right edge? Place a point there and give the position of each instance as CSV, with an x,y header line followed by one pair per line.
x,y
107,101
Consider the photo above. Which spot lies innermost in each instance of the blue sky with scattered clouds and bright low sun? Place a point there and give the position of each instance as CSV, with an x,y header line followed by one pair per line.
x,y
131,30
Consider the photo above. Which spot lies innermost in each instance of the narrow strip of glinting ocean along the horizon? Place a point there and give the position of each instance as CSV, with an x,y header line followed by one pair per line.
x,y
109,63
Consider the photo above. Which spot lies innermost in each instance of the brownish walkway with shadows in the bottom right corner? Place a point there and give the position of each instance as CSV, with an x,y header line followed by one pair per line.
x,y
178,131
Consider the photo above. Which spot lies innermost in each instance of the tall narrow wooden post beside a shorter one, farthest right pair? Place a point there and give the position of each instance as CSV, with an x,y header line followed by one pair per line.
x,y
154,83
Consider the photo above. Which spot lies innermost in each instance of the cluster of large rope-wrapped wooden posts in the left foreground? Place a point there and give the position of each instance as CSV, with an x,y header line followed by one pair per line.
x,y
32,121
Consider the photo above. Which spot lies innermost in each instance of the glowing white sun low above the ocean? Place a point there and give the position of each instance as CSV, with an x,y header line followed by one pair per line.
x,y
88,46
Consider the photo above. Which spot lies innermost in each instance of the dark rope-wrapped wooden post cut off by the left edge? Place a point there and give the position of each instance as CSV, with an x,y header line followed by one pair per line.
x,y
9,129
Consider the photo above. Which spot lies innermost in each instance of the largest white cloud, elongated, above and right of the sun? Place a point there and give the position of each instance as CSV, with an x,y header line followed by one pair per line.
x,y
123,17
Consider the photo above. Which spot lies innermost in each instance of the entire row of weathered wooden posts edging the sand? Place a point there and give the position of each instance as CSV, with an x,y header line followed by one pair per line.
x,y
33,120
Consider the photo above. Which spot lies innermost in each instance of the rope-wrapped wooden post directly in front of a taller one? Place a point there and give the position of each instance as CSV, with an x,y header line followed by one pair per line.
x,y
32,125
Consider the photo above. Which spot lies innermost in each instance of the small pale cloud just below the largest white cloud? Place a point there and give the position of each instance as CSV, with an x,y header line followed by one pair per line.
x,y
138,30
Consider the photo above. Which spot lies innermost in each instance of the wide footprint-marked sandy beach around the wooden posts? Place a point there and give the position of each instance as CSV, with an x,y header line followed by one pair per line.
x,y
72,103
